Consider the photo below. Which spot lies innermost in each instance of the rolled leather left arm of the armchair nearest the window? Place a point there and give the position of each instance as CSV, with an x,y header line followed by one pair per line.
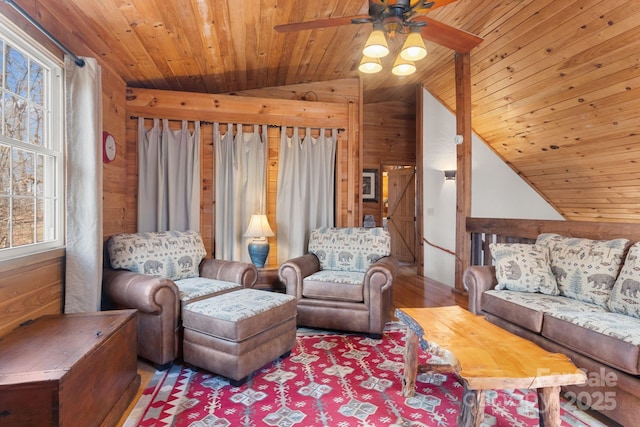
x,y
158,303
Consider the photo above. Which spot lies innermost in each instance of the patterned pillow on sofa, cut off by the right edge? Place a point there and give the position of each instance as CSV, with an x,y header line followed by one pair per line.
x,y
625,296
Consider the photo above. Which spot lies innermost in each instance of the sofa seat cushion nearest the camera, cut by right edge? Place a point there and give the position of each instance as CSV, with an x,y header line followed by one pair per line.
x,y
611,338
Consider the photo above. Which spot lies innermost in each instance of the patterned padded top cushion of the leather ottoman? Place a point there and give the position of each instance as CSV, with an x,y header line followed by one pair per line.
x,y
239,315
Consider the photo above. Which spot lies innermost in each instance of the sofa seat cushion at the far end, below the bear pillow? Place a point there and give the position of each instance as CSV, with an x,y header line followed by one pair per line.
x,y
527,309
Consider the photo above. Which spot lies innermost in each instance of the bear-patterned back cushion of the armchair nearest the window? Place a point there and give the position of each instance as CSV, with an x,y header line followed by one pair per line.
x,y
174,255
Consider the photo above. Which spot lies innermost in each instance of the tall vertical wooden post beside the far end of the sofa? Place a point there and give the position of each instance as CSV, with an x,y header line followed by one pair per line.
x,y
463,177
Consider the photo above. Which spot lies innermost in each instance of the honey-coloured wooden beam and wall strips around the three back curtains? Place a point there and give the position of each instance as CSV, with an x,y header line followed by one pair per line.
x,y
226,108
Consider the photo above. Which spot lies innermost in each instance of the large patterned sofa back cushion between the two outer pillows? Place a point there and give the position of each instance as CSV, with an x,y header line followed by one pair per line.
x,y
585,269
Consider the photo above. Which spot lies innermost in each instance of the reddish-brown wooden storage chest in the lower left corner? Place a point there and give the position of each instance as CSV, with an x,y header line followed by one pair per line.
x,y
69,370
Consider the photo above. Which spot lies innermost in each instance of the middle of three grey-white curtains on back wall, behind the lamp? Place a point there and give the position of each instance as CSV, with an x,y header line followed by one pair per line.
x,y
240,180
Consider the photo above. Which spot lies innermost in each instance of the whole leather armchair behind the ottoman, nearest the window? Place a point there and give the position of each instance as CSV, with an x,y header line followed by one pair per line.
x,y
158,273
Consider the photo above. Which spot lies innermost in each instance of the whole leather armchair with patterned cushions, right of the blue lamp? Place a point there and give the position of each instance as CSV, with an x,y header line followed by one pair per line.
x,y
344,281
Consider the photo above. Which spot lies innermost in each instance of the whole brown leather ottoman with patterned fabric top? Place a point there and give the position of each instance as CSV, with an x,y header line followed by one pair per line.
x,y
236,333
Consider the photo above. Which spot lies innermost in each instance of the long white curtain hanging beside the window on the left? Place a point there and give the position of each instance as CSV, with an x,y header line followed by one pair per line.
x,y
84,240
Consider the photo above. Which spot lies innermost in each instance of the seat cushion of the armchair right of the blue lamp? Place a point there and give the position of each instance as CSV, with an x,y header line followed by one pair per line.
x,y
334,285
